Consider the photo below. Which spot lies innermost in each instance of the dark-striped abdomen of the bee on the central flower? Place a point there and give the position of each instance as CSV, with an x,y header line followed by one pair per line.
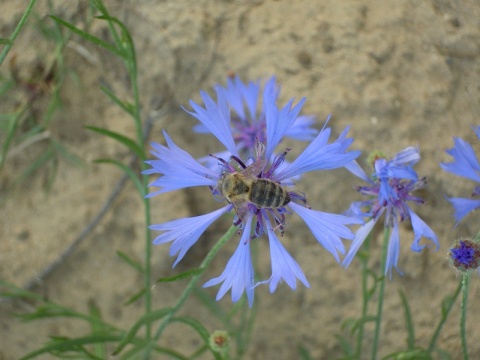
x,y
268,194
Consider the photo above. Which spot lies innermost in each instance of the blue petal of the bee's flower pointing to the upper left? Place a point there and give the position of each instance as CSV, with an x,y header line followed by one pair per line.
x,y
216,118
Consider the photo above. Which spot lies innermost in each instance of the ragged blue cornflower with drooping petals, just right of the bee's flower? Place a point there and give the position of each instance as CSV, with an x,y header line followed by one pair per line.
x,y
389,189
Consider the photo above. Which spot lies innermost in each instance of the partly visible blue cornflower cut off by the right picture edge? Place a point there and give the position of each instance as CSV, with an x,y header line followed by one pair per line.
x,y
465,164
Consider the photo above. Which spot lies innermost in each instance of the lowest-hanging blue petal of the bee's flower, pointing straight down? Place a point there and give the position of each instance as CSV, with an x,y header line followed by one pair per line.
x,y
238,274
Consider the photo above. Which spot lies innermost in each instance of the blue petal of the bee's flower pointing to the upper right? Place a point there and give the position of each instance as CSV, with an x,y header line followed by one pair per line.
x,y
321,156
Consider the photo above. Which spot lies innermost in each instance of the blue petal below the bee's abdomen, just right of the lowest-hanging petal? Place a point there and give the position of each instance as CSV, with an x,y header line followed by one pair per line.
x,y
284,266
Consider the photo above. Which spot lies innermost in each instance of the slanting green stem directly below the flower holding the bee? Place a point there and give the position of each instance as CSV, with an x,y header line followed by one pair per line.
x,y
188,289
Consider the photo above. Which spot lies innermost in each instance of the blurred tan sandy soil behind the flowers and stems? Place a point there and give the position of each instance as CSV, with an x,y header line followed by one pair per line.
x,y
400,73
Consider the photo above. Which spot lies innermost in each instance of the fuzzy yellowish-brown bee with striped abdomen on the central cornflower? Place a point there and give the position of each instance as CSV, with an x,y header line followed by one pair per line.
x,y
244,187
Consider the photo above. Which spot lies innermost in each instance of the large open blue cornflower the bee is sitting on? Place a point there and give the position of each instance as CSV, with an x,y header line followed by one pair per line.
x,y
180,170
